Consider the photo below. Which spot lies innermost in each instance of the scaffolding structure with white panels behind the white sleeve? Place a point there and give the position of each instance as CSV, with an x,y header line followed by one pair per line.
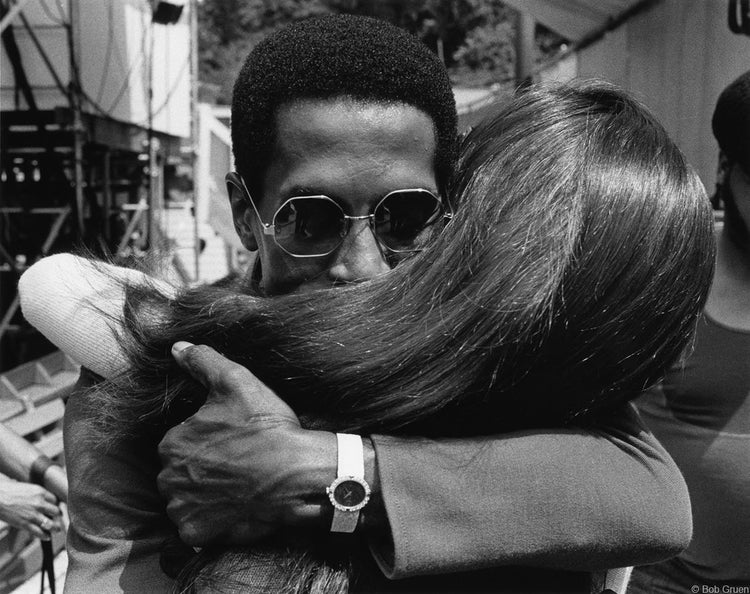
x,y
96,121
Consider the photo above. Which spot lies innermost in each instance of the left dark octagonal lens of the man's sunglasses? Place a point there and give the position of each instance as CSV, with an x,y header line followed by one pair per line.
x,y
309,226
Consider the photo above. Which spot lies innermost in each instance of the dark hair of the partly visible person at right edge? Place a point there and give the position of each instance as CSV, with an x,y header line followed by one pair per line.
x,y
731,121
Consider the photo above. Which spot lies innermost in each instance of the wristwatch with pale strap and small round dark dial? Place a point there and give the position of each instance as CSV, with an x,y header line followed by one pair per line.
x,y
349,492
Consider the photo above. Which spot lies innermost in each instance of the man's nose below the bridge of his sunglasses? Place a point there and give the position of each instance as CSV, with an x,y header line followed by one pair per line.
x,y
360,257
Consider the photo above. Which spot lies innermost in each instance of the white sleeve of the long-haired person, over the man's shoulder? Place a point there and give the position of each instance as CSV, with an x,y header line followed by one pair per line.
x,y
77,305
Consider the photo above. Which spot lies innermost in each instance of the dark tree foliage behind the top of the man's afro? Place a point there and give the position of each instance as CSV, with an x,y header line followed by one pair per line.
x,y
475,38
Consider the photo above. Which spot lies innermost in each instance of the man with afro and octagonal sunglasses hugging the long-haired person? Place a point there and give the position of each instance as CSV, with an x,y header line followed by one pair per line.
x,y
332,118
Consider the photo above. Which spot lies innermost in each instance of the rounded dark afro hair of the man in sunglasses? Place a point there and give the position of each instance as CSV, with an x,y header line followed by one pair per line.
x,y
337,56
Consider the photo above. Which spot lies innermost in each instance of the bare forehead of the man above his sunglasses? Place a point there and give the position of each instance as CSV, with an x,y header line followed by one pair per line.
x,y
327,145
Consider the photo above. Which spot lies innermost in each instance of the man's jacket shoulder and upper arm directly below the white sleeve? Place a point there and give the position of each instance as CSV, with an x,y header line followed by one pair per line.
x,y
117,529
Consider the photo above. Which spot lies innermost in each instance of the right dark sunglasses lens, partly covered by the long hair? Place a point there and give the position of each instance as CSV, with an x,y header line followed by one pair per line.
x,y
403,217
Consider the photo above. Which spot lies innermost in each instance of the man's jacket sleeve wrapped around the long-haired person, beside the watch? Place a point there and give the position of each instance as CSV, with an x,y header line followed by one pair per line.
x,y
570,499
